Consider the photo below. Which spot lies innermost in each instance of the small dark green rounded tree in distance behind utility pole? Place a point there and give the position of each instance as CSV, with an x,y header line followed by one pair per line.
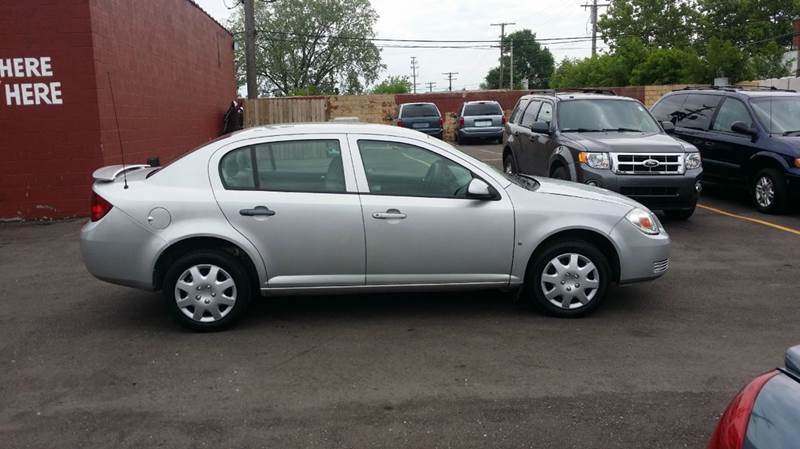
x,y
532,61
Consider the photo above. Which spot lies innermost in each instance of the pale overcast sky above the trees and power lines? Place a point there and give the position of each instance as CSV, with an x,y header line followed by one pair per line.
x,y
461,20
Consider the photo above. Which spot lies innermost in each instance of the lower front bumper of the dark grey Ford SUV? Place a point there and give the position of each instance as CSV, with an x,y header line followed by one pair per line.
x,y
661,192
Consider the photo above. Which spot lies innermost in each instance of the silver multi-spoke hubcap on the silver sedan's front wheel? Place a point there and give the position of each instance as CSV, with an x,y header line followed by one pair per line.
x,y
570,281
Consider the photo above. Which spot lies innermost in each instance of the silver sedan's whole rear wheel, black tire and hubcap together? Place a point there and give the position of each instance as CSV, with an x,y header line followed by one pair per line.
x,y
207,290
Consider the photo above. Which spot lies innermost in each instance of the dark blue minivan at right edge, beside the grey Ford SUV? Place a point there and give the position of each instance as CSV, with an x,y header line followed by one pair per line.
x,y
746,137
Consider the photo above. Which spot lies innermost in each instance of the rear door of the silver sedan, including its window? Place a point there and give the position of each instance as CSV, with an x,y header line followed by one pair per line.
x,y
295,199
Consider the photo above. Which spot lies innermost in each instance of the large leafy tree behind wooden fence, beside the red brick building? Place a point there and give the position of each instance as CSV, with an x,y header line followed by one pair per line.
x,y
311,46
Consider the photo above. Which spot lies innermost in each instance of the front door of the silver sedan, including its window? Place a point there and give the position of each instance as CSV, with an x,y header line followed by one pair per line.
x,y
420,228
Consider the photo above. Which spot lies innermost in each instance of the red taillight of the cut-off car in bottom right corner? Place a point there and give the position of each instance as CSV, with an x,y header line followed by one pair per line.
x,y
732,426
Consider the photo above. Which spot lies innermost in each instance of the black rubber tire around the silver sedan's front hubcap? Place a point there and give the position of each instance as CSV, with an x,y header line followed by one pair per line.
x,y
534,288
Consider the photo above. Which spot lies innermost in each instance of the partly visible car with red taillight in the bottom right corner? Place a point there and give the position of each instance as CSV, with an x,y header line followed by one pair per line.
x,y
765,414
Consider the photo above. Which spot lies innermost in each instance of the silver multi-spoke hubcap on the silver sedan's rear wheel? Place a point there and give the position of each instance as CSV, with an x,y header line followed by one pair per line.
x,y
205,293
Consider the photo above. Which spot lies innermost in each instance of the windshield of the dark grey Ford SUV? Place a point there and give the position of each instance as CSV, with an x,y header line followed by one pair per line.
x,y
593,115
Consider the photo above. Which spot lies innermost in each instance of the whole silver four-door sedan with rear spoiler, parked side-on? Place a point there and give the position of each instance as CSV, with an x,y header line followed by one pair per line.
x,y
348,207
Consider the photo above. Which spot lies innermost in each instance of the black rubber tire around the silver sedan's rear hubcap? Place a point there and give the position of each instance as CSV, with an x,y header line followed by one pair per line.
x,y
230,266
